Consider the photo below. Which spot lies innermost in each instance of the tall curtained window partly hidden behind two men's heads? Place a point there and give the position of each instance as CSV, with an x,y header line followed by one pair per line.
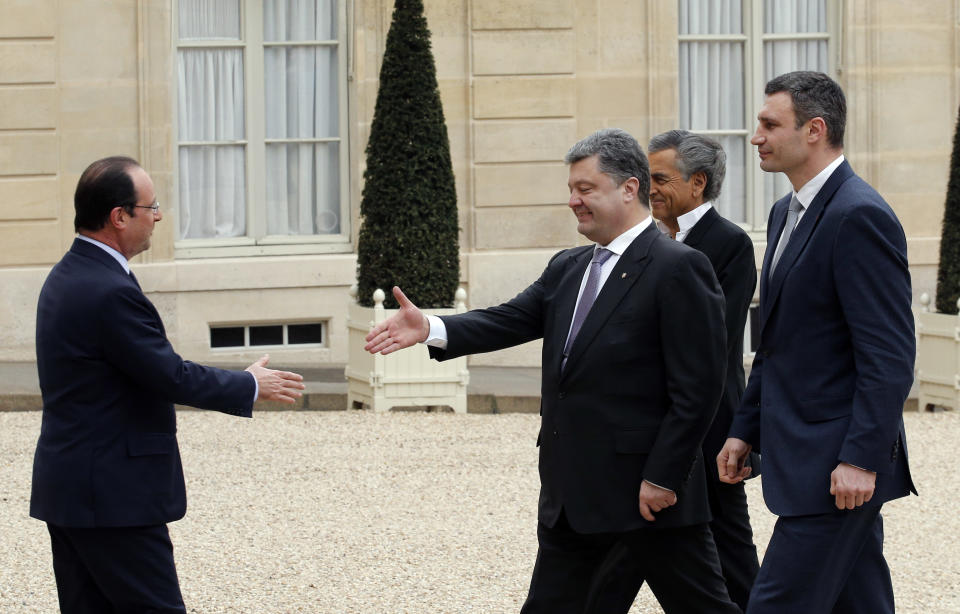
x,y
729,49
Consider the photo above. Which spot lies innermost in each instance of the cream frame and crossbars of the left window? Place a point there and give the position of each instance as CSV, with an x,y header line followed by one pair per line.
x,y
256,242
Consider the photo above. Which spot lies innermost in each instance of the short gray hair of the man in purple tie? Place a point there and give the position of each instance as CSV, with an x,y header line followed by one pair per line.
x,y
619,156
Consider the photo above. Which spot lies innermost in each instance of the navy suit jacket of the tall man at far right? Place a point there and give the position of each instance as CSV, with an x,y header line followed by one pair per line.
x,y
836,353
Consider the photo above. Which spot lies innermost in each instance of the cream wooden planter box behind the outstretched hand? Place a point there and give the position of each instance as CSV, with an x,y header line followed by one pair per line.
x,y
405,378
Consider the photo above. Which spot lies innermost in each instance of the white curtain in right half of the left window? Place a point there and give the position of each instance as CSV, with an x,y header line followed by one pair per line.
x,y
301,102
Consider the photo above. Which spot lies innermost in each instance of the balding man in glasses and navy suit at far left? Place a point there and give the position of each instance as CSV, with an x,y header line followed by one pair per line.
x,y
106,474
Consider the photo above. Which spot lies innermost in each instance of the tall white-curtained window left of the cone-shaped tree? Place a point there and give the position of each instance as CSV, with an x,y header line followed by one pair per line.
x,y
260,114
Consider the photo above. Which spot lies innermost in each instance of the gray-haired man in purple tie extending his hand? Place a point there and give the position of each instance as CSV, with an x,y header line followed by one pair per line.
x,y
625,405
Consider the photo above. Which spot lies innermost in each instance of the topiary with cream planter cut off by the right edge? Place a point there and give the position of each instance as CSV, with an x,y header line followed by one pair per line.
x,y
938,334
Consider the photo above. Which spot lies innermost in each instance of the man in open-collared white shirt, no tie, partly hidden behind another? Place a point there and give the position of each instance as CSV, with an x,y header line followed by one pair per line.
x,y
686,175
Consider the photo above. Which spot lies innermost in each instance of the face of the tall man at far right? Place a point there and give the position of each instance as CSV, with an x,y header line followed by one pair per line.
x,y
781,145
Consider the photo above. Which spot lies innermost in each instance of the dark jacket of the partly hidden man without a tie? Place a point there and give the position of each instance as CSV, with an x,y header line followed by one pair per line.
x,y
730,251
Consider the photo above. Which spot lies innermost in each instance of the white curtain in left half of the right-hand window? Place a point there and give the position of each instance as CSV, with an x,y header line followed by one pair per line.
x,y
711,89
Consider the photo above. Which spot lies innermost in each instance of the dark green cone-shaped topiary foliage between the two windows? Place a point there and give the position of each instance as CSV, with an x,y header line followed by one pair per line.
x,y
409,236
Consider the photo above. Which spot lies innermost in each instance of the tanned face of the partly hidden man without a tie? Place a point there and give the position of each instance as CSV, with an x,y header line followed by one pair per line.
x,y
670,194
